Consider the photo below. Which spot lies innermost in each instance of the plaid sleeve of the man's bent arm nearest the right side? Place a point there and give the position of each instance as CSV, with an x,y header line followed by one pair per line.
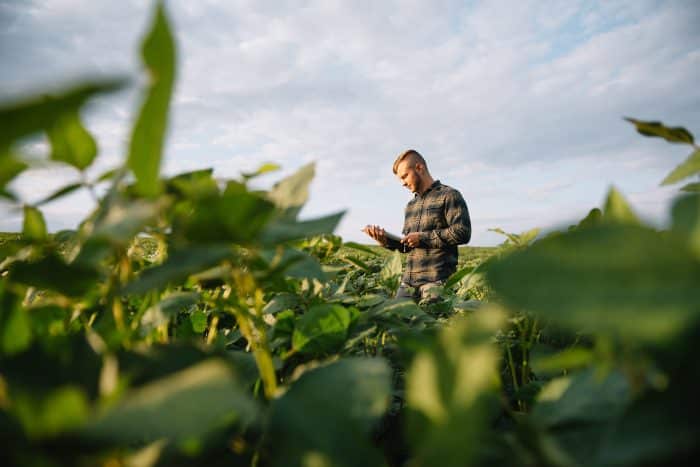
x,y
459,227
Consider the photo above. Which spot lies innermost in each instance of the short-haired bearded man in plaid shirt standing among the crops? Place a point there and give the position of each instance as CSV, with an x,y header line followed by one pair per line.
x,y
436,220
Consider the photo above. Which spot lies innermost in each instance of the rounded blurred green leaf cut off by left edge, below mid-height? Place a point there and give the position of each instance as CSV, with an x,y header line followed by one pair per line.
x,y
15,328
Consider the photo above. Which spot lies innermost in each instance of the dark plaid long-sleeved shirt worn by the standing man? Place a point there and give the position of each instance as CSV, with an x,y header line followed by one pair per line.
x,y
441,216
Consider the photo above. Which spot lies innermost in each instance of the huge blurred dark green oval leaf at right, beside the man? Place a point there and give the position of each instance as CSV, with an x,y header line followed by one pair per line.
x,y
629,281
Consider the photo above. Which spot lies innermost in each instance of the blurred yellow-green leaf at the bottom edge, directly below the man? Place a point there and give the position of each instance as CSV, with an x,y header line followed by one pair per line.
x,y
451,392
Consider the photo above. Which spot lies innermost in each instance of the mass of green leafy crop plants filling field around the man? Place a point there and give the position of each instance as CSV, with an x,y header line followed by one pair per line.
x,y
190,320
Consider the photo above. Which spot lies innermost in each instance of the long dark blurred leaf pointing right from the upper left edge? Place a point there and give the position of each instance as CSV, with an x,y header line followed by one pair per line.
x,y
36,114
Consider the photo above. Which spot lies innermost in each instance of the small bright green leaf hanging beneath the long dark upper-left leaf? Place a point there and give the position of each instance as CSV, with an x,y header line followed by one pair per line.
x,y
70,141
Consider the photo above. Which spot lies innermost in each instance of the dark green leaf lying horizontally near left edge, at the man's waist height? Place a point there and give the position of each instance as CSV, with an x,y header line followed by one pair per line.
x,y
52,273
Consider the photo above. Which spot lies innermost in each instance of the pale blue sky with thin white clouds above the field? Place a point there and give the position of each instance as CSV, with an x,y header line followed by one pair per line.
x,y
517,104
